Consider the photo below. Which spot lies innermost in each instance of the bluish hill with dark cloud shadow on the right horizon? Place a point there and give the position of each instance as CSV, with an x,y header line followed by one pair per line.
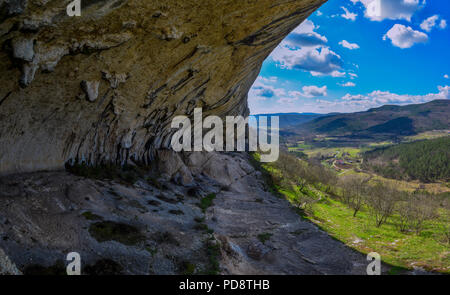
x,y
388,120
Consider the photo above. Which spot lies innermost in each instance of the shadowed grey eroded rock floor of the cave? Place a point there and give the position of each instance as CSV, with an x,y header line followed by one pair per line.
x,y
158,226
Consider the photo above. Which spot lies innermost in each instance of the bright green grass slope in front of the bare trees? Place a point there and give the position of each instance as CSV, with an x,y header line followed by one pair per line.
x,y
428,250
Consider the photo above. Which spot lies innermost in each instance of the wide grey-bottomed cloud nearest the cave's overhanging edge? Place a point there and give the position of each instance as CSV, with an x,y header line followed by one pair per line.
x,y
317,60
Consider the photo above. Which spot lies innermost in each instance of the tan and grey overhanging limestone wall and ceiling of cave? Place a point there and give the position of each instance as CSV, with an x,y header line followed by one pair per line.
x,y
143,62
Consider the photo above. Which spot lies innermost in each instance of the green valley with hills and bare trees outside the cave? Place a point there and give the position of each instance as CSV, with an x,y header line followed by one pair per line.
x,y
387,192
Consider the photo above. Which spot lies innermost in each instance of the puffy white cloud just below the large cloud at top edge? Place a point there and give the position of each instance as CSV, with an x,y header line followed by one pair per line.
x,y
405,37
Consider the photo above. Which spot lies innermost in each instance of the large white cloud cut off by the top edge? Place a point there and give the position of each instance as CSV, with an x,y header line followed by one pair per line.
x,y
378,10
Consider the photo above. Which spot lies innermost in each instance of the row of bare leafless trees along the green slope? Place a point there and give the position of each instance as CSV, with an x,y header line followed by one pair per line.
x,y
382,200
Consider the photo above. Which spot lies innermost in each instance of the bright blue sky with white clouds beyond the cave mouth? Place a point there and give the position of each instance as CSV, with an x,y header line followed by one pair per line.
x,y
352,55
